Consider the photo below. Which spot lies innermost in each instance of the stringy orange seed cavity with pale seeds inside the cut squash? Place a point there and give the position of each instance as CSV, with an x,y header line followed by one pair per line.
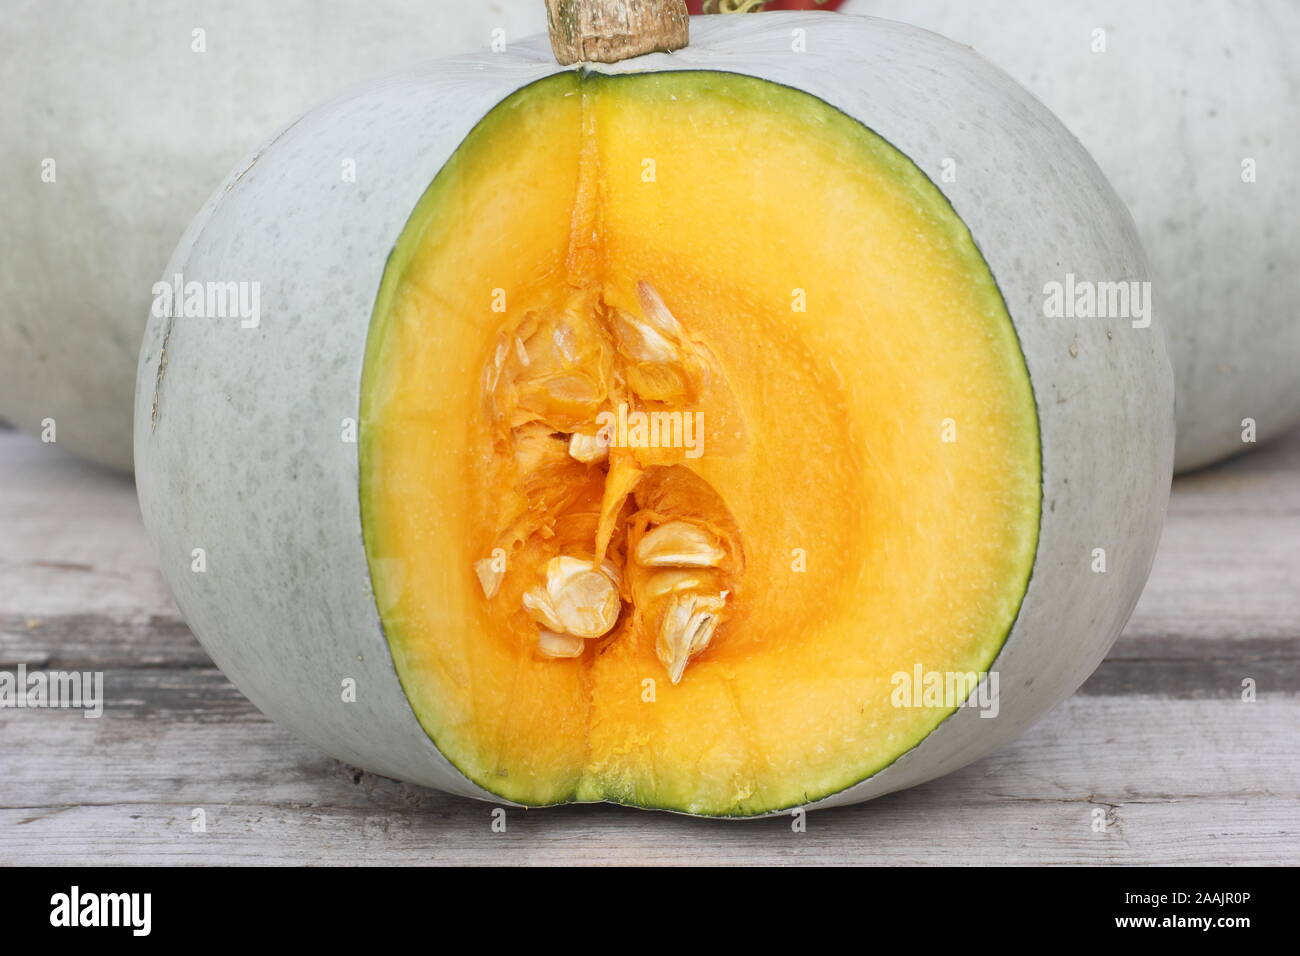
x,y
604,526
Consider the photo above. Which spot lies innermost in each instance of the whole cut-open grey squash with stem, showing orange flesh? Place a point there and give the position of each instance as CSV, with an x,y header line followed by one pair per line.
x,y
574,461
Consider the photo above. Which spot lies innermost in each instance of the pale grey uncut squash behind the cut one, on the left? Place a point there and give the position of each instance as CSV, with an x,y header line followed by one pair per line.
x,y
142,129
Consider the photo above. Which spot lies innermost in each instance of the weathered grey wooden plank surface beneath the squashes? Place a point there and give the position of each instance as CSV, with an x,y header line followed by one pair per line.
x,y
1156,762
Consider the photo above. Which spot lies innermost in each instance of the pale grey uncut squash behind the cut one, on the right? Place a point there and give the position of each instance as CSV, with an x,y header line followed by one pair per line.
x,y
1185,92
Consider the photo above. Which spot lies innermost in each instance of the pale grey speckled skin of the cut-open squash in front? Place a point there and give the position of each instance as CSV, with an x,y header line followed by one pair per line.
x,y
246,458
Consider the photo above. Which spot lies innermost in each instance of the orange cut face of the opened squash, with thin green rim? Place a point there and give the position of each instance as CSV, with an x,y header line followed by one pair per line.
x,y
691,418
